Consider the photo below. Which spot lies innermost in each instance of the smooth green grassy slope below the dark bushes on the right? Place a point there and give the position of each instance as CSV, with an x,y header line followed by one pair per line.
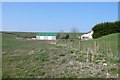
x,y
107,45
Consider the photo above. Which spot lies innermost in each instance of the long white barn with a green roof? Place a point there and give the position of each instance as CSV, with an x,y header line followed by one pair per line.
x,y
46,36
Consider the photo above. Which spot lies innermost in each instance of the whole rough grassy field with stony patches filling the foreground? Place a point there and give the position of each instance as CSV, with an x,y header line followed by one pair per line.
x,y
24,58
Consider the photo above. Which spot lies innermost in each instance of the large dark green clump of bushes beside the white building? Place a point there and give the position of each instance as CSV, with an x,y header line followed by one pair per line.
x,y
106,28
